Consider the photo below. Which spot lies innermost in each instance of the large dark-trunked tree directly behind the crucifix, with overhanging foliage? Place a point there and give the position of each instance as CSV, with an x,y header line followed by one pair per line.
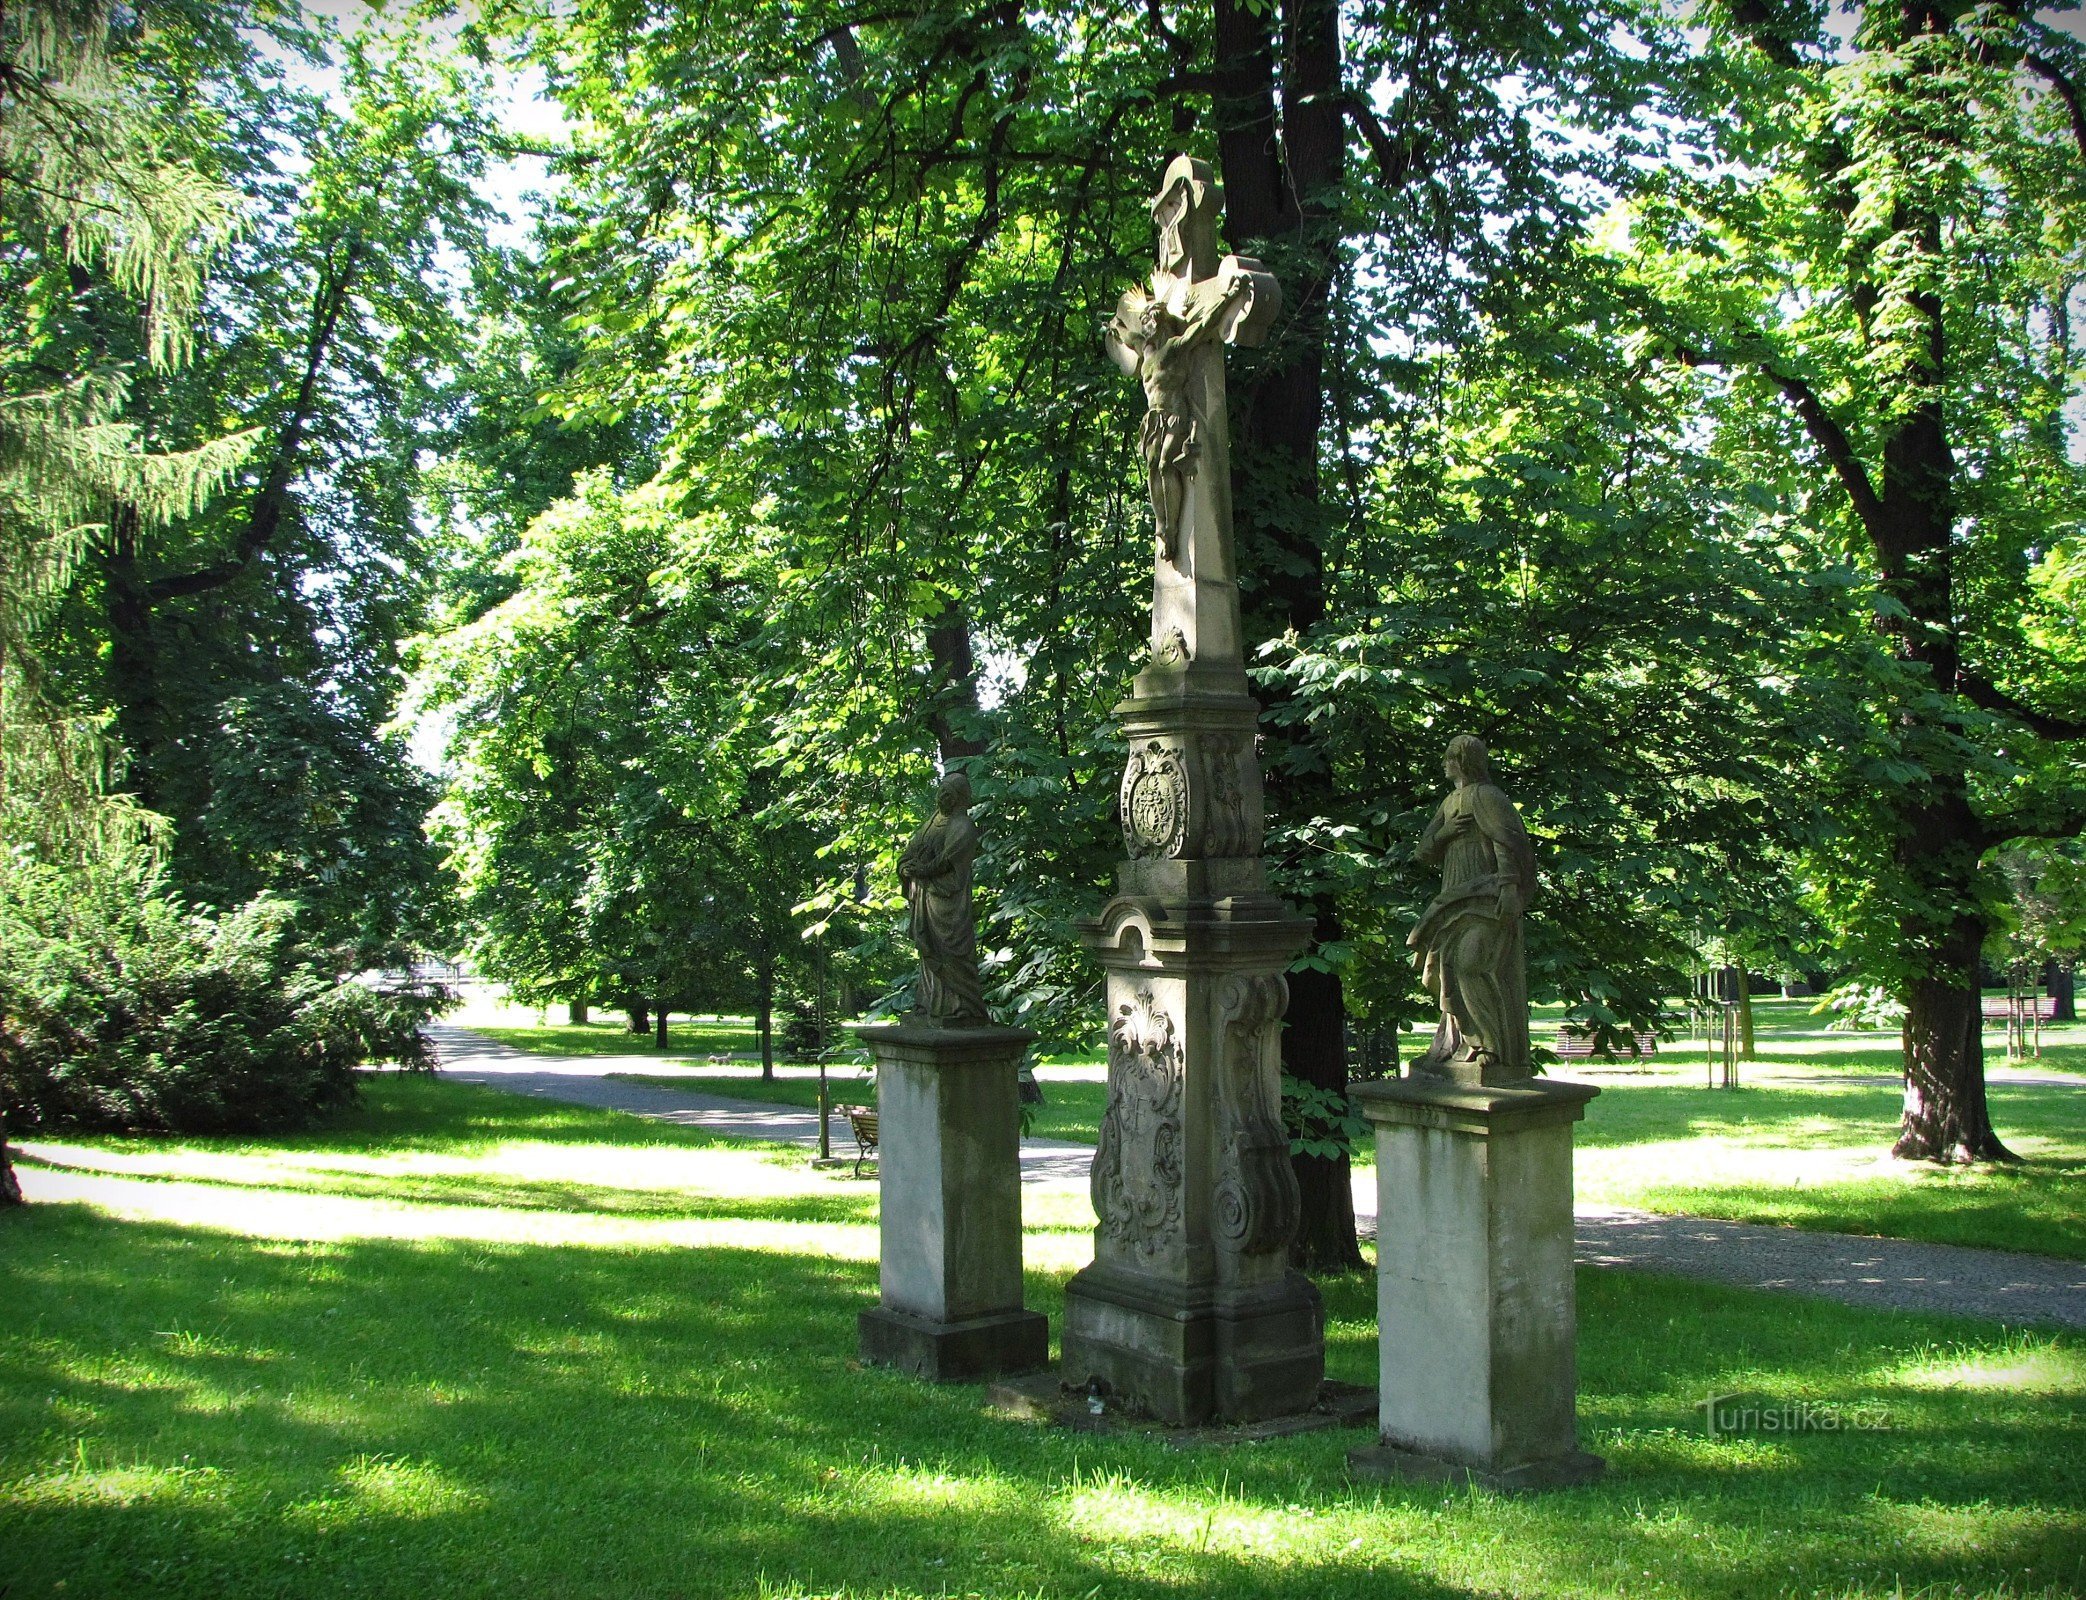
x,y
856,266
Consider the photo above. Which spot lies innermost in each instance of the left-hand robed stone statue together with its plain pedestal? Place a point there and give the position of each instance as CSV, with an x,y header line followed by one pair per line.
x,y
948,1111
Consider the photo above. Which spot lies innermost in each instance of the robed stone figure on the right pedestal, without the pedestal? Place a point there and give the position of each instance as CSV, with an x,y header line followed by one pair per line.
x,y
1470,940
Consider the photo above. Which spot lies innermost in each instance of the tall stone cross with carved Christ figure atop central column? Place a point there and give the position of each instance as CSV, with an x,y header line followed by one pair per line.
x,y
1171,339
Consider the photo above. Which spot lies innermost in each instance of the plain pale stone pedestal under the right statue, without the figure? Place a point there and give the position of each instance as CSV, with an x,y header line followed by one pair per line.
x,y
1476,1313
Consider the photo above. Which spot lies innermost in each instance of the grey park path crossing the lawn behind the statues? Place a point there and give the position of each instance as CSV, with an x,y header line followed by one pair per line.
x,y
1851,1269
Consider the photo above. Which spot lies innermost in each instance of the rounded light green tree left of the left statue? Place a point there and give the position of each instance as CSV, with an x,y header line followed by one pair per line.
x,y
614,815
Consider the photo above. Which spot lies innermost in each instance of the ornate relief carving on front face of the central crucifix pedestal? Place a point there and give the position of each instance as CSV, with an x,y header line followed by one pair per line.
x,y
1138,1163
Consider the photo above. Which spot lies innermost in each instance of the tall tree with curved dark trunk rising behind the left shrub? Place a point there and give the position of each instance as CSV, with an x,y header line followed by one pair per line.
x,y
247,650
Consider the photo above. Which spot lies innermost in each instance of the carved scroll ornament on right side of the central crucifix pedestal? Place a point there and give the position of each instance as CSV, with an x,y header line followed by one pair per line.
x,y
1257,1198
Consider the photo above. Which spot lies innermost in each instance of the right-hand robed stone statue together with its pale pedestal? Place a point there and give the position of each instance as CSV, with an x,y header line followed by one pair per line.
x,y
1476,1315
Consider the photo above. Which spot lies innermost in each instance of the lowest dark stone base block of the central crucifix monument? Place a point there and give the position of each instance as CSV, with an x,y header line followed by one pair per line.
x,y
1236,1357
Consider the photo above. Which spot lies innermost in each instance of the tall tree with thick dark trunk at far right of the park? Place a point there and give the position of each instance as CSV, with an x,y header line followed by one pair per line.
x,y
1881,249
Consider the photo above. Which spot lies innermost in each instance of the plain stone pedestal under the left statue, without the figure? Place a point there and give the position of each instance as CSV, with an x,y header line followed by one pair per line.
x,y
950,1226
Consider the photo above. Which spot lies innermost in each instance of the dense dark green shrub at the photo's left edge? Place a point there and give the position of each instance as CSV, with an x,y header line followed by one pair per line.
x,y
122,1009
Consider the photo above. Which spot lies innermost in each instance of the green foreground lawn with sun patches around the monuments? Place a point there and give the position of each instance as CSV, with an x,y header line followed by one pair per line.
x,y
673,1409
